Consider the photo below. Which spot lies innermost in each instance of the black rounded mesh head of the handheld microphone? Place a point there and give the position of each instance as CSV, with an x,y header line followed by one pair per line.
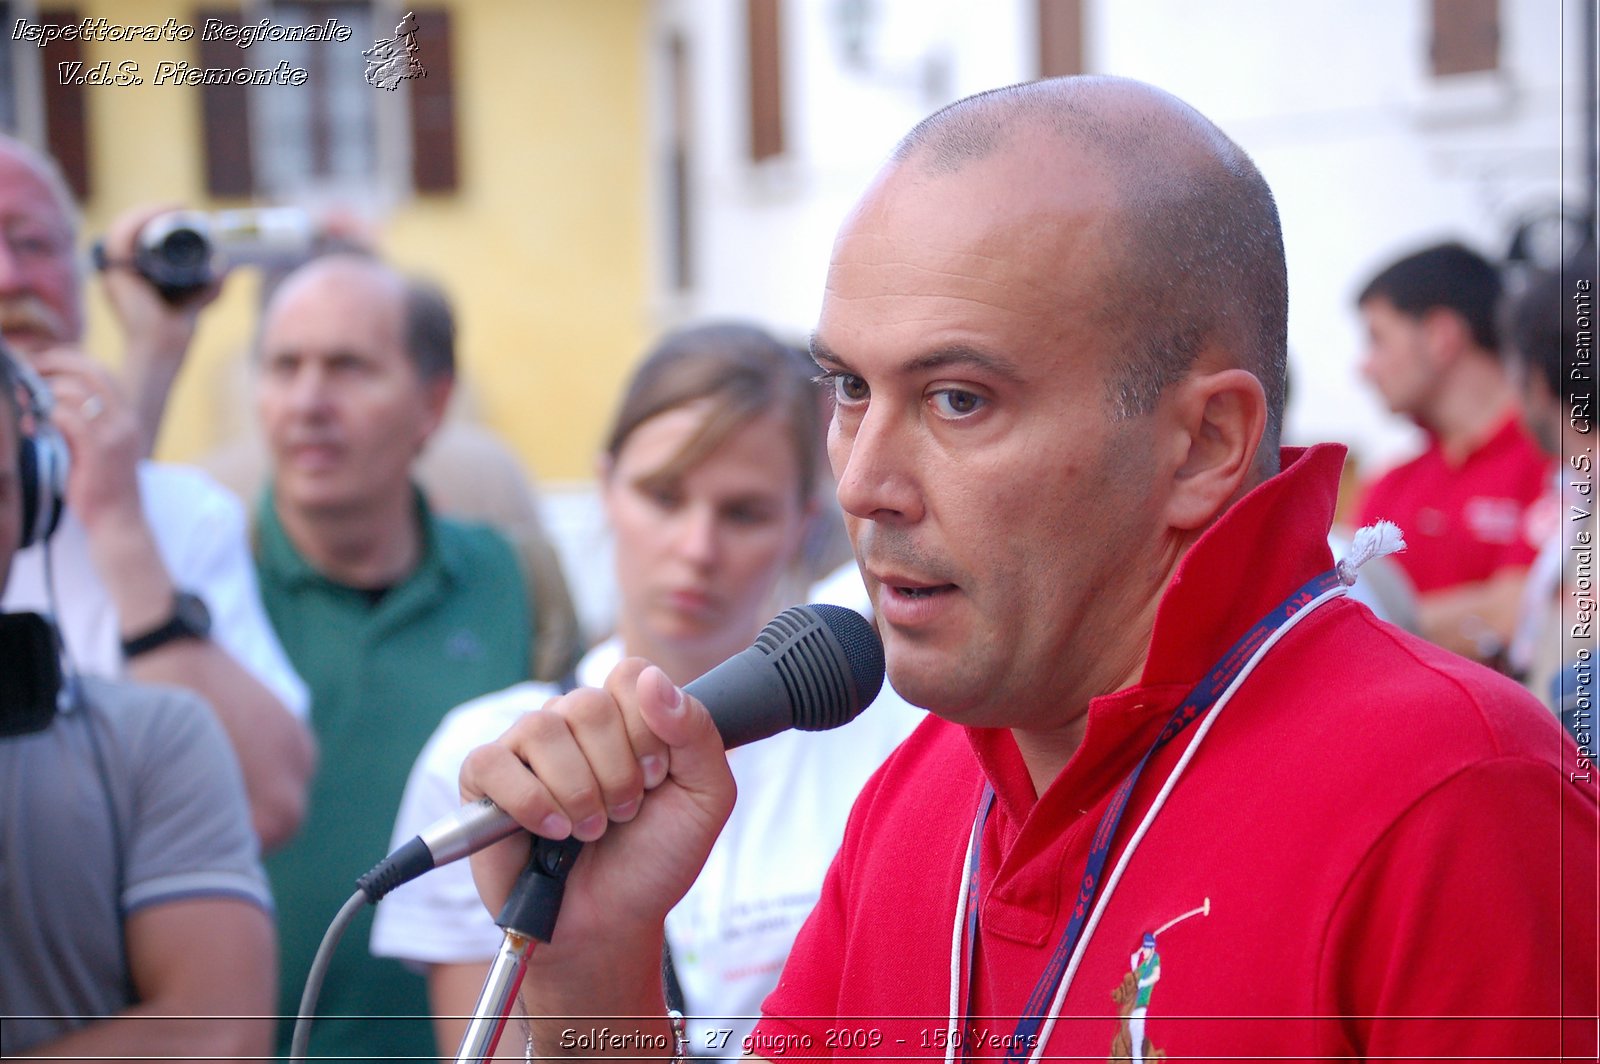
x,y
831,663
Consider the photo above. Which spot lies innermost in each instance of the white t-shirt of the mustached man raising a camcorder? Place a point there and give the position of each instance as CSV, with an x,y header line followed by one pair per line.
x,y
202,538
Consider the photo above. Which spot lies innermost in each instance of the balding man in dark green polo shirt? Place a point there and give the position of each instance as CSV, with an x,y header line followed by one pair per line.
x,y
390,614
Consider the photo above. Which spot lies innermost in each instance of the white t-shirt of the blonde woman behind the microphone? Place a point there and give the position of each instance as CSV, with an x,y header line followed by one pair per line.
x,y
734,930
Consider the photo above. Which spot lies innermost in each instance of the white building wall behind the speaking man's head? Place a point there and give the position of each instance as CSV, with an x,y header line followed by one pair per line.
x,y
1367,154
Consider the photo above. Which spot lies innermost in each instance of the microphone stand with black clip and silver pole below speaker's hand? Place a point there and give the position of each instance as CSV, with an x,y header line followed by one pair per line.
x,y
529,916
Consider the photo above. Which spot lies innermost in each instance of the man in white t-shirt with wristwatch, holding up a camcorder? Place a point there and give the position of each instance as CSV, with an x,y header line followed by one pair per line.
x,y
150,575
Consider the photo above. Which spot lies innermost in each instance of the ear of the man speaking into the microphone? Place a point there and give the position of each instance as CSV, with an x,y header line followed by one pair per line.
x,y
1222,418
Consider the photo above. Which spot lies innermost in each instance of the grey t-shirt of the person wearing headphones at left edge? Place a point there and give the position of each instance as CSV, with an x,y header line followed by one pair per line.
x,y
146,764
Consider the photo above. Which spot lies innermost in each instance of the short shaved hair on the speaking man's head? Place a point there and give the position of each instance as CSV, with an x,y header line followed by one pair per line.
x,y
1199,257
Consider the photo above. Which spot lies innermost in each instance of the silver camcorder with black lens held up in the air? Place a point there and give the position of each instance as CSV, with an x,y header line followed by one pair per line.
x,y
185,252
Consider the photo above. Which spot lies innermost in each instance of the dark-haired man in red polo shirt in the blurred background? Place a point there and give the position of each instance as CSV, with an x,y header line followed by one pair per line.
x,y
1434,358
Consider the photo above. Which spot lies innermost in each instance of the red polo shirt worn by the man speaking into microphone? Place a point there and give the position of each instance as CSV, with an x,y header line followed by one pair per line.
x,y
1383,839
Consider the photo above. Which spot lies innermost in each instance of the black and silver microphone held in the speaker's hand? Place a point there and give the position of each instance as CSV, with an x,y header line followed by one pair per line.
x,y
812,668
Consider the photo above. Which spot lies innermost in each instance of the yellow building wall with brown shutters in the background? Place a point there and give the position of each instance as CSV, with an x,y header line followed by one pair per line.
x,y
543,247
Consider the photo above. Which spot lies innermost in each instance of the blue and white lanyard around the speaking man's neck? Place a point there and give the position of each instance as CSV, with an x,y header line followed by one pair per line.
x,y
1044,1006
